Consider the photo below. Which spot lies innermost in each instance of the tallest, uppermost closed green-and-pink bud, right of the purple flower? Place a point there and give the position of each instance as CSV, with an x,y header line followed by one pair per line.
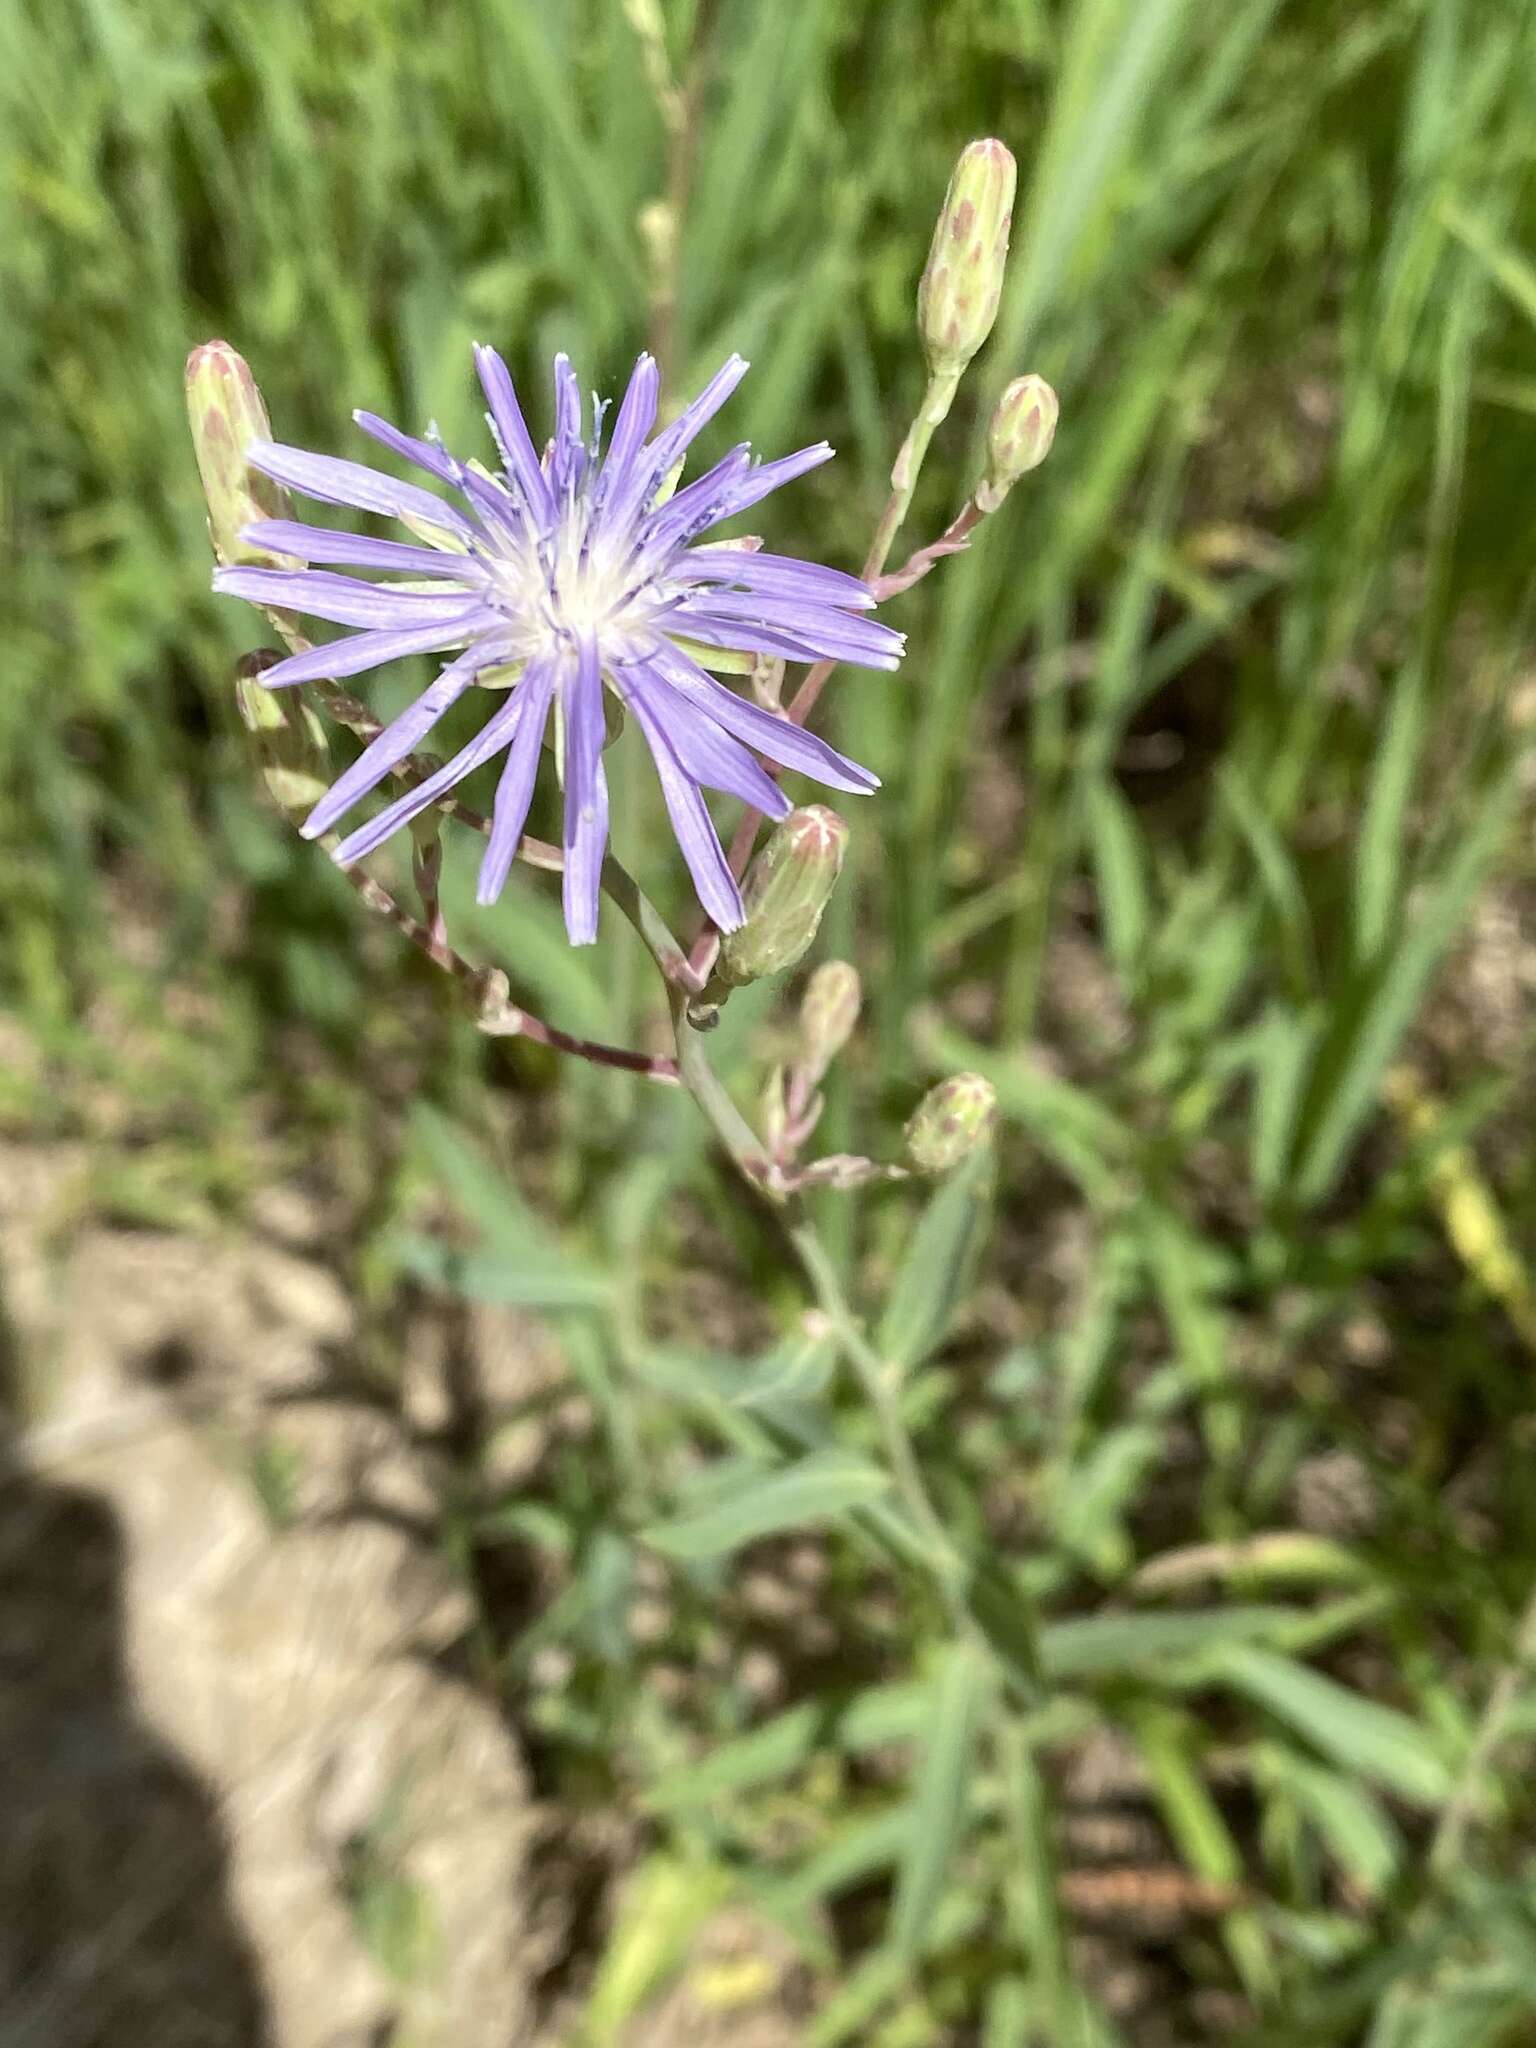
x,y
964,282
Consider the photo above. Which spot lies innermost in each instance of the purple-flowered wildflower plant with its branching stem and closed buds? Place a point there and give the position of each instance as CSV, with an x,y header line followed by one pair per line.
x,y
581,583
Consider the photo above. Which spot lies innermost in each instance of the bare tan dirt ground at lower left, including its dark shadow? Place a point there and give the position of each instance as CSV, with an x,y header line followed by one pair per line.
x,y
241,1801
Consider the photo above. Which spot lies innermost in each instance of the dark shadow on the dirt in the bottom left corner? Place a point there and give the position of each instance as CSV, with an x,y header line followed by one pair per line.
x,y
116,1924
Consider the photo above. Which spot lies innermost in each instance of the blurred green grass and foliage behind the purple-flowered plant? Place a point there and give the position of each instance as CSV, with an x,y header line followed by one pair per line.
x,y
1203,835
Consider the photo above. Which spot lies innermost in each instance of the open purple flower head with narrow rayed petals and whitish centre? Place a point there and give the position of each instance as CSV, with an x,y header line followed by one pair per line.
x,y
560,579
